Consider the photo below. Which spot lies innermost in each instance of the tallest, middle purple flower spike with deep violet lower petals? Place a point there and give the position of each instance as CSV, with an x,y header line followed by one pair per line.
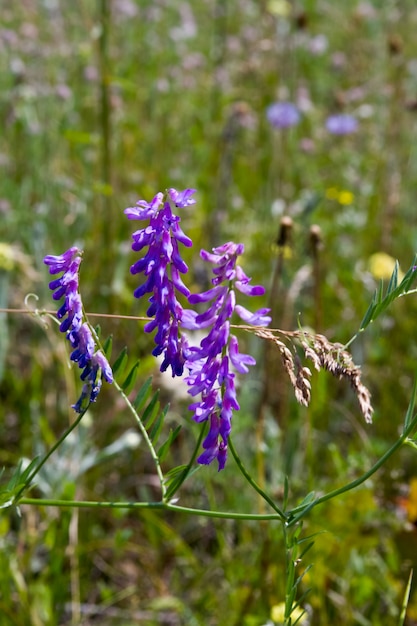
x,y
162,265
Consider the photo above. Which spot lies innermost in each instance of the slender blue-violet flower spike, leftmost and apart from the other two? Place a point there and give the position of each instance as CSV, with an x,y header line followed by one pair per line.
x,y
93,362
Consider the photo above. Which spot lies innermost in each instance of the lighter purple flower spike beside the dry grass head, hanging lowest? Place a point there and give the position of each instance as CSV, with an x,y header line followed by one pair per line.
x,y
209,365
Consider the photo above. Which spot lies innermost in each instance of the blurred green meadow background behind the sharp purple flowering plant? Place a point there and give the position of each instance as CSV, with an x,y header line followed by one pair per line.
x,y
106,102
